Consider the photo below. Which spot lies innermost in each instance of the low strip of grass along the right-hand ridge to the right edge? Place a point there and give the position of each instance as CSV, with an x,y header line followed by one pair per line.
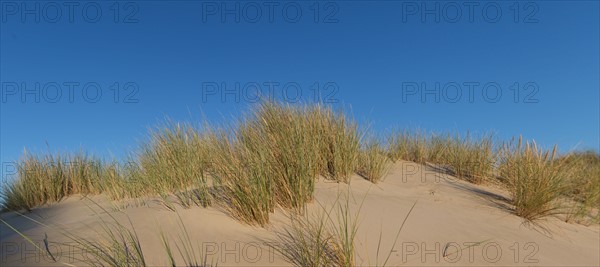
x,y
534,177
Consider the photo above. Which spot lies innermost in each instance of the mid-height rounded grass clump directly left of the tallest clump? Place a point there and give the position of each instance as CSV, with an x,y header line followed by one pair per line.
x,y
175,162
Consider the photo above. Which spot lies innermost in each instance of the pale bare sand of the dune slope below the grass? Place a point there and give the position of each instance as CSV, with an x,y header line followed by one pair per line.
x,y
469,224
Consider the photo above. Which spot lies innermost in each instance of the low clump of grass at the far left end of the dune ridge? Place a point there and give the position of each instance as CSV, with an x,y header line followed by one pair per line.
x,y
49,179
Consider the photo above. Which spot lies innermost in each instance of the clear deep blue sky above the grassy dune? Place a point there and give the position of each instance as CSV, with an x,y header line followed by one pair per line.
x,y
164,58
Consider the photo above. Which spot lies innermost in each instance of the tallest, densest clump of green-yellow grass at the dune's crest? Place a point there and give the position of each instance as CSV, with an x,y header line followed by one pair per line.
x,y
274,155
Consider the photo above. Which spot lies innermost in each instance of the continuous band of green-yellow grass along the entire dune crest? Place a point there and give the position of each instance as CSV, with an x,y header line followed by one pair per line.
x,y
273,155
